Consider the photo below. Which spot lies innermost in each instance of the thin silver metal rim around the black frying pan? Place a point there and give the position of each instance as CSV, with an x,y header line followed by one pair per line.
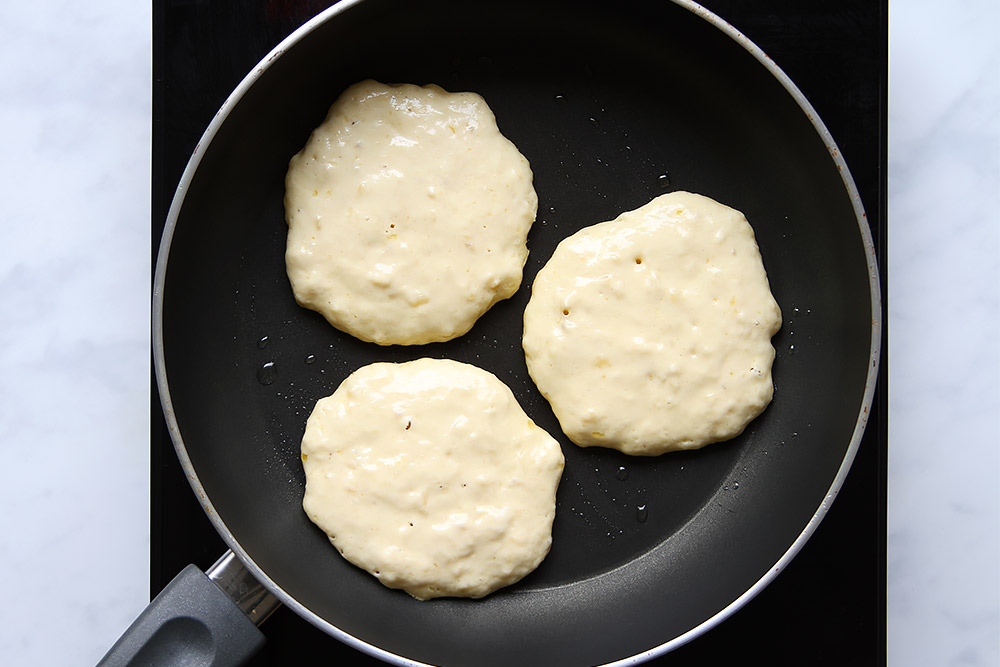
x,y
173,214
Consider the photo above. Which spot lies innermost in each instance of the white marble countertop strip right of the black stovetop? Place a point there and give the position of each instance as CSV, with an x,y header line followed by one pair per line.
x,y
944,331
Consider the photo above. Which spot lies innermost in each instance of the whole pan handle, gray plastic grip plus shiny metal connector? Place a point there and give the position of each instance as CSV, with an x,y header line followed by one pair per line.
x,y
198,619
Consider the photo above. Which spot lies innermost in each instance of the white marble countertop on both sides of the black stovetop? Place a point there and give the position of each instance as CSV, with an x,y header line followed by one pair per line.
x,y
74,326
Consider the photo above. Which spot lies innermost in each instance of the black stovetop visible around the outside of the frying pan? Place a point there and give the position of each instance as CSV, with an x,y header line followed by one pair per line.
x,y
828,606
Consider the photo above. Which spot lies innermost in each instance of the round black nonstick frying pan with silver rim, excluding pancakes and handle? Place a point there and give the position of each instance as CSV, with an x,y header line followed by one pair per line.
x,y
612,106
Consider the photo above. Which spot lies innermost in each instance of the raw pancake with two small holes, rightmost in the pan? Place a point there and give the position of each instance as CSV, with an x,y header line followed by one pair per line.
x,y
652,332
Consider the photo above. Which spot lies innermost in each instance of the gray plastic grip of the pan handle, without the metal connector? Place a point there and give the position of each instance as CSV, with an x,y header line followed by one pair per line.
x,y
191,622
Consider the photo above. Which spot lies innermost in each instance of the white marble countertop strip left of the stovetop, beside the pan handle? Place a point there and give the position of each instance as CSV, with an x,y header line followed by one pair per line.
x,y
74,326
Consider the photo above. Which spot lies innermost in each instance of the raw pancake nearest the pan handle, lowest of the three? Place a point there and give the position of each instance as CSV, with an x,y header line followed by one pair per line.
x,y
430,476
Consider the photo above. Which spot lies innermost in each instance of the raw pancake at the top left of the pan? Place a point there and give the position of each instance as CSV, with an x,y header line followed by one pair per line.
x,y
408,214
